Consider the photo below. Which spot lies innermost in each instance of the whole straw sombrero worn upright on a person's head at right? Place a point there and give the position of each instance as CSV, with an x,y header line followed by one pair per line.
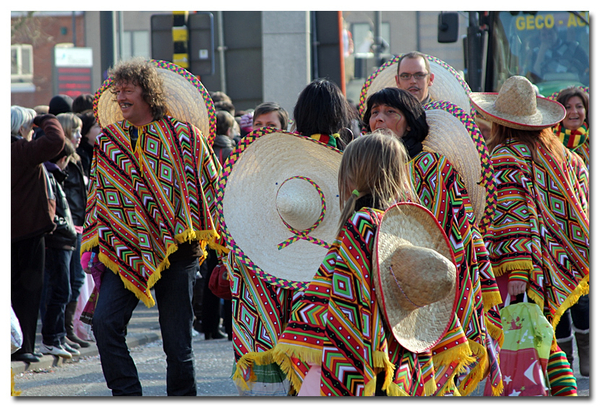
x,y
517,106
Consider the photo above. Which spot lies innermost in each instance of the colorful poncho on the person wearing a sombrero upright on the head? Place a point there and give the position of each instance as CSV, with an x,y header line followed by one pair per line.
x,y
541,229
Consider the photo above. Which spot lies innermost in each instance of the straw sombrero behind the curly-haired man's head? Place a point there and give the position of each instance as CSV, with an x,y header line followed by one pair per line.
x,y
187,100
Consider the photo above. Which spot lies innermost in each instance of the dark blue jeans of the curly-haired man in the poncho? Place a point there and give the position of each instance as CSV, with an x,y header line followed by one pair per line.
x,y
115,306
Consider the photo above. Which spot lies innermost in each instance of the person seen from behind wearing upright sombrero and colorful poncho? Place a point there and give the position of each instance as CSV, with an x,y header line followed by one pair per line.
x,y
539,239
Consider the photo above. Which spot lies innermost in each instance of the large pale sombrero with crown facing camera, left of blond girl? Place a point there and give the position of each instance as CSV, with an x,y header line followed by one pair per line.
x,y
279,205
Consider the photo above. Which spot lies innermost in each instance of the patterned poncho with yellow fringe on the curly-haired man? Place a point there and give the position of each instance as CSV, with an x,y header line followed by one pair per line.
x,y
143,203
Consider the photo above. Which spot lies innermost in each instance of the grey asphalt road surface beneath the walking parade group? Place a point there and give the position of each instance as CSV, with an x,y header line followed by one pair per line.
x,y
83,377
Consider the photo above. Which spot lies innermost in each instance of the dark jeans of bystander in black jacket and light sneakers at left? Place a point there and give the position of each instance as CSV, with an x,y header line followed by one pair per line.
x,y
57,295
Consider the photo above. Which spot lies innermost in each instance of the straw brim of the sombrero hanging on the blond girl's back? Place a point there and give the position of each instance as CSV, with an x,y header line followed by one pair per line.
x,y
421,329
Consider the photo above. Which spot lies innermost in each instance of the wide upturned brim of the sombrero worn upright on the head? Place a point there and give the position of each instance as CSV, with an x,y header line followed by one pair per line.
x,y
551,112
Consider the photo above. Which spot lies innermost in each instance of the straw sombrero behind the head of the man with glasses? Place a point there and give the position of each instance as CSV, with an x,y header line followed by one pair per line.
x,y
447,85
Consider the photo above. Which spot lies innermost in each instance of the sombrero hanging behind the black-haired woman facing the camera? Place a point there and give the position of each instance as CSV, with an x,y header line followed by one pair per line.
x,y
454,134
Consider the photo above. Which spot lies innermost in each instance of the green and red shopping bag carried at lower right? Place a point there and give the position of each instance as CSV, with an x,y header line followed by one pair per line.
x,y
524,355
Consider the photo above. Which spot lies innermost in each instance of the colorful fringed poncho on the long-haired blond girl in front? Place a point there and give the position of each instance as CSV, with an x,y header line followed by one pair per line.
x,y
337,325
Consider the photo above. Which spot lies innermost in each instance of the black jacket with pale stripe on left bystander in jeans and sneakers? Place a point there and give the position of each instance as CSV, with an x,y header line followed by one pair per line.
x,y
64,236
